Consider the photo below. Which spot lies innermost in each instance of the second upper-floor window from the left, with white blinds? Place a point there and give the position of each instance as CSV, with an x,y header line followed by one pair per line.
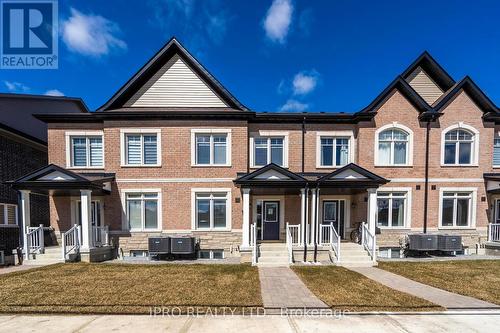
x,y
141,149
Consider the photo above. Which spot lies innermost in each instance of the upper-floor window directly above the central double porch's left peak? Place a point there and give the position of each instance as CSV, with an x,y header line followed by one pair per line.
x,y
268,150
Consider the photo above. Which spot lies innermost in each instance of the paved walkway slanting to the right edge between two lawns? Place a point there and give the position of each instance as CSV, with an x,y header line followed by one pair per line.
x,y
446,299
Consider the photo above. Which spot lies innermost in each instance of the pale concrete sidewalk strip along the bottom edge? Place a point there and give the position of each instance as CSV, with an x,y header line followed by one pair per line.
x,y
276,324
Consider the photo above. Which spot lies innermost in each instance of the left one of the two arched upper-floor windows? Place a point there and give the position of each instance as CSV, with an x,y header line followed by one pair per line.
x,y
393,147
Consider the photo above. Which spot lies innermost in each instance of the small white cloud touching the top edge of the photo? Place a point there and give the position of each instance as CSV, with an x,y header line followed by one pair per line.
x,y
278,20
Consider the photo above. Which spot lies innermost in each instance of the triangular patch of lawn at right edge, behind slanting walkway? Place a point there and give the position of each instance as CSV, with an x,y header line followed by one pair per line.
x,y
476,278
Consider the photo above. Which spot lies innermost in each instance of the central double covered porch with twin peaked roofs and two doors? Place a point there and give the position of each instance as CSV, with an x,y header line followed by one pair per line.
x,y
310,212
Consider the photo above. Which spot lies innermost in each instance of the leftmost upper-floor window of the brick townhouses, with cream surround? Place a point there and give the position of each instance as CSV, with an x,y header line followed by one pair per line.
x,y
84,150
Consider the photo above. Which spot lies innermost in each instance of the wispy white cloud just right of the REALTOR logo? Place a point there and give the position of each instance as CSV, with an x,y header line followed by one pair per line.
x,y
91,35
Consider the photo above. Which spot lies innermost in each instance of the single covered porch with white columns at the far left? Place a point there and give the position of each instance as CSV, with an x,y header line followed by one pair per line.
x,y
80,235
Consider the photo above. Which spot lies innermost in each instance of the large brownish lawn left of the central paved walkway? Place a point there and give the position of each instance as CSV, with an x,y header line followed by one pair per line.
x,y
125,288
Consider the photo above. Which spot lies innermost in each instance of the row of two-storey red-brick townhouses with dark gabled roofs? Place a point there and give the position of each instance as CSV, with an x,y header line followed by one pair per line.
x,y
173,152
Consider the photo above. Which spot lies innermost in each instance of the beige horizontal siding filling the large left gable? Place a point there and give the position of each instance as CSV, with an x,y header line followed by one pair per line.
x,y
175,85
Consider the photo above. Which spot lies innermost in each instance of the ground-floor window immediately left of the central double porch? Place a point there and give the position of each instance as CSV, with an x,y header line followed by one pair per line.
x,y
211,210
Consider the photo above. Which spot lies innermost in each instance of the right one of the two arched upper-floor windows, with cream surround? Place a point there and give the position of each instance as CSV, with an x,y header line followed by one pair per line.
x,y
459,146
